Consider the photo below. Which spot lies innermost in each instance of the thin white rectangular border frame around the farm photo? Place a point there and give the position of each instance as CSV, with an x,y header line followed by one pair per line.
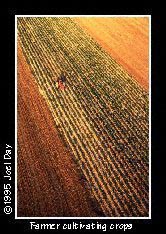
x,y
113,16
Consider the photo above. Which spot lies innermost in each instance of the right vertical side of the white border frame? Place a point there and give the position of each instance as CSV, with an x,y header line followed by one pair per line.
x,y
150,173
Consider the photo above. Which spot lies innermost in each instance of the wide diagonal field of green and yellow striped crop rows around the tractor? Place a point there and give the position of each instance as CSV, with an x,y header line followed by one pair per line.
x,y
102,116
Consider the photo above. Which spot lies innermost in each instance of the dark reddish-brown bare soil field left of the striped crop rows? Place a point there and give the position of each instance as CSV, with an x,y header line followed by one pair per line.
x,y
48,180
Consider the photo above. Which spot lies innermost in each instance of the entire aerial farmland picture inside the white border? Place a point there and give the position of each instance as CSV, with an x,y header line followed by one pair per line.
x,y
83,97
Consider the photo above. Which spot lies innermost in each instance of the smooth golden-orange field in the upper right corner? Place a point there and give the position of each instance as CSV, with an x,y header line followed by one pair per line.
x,y
126,39
